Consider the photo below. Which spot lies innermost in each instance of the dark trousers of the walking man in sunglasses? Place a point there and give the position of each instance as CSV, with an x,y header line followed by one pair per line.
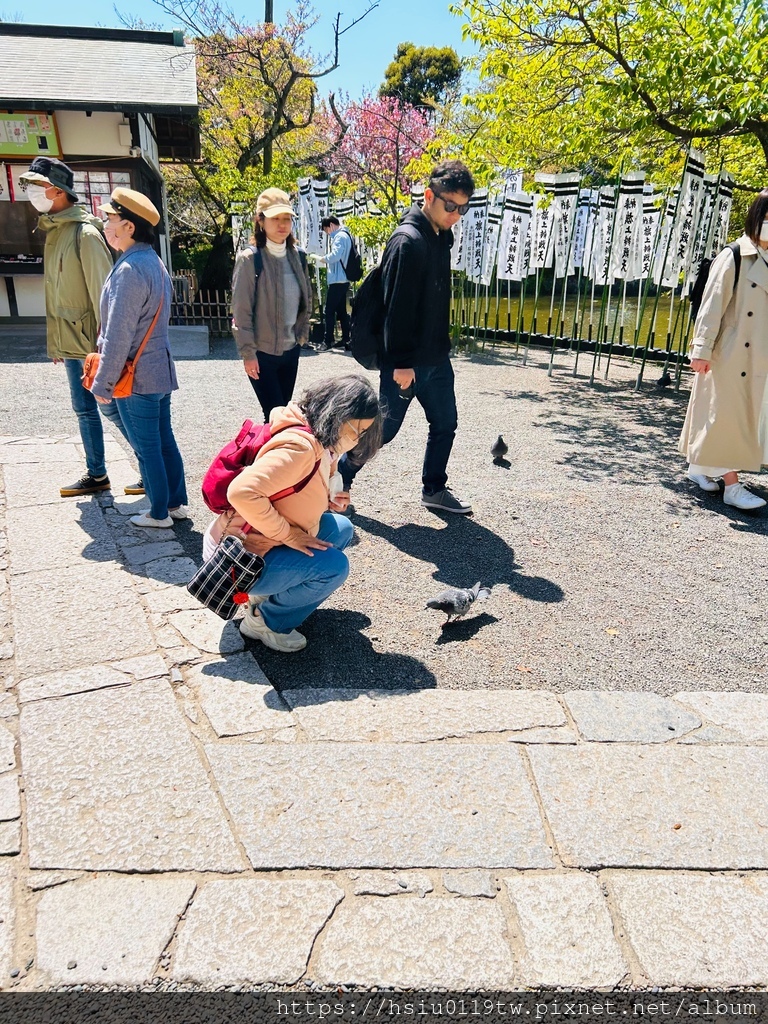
x,y
435,392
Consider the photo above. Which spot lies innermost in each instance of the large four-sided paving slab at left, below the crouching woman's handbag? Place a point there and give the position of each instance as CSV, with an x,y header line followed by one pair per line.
x,y
114,783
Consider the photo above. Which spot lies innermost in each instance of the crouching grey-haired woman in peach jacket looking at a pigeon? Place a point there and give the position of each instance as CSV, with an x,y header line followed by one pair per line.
x,y
286,506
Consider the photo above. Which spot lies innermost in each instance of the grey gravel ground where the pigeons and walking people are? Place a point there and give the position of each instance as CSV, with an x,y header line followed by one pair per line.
x,y
610,570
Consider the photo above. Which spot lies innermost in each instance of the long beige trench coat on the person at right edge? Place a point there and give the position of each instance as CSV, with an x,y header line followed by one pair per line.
x,y
732,331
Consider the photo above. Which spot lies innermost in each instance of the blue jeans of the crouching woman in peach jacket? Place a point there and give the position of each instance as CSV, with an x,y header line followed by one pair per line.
x,y
297,584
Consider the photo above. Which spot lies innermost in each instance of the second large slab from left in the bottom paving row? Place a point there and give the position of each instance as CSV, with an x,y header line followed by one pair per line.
x,y
253,931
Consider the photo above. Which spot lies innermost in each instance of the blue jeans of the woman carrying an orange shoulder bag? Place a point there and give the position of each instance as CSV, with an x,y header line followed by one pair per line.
x,y
147,419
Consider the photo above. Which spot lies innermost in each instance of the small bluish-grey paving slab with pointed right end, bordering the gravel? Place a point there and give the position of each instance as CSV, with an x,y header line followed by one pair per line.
x,y
634,718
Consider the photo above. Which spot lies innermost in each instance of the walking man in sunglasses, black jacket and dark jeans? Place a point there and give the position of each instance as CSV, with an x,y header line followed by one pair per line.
x,y
416,278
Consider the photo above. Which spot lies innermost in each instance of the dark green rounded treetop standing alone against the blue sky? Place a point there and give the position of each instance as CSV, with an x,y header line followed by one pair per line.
x,y
421,76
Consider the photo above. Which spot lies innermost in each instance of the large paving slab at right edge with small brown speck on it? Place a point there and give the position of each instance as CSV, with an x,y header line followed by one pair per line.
x,y
620,805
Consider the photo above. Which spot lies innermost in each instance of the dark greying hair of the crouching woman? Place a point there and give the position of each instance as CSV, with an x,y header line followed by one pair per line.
x,y
334,402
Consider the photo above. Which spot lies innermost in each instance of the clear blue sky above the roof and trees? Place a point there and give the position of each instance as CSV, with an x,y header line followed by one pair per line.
x,y
366,51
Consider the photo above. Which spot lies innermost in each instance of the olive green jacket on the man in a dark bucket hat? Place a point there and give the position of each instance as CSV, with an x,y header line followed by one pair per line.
x,y
75,273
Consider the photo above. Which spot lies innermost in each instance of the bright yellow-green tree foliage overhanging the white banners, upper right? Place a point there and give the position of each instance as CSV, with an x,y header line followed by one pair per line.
x,y
574,84
